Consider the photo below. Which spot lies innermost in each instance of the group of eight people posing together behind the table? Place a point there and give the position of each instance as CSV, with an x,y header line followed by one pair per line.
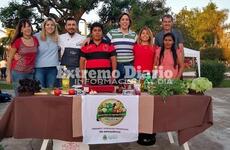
x,y
112,56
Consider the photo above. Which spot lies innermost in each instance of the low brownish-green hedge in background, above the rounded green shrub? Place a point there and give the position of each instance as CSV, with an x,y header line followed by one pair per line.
x,y
212,53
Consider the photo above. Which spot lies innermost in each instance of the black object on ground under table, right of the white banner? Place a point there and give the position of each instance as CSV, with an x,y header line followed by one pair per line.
x,y
146,139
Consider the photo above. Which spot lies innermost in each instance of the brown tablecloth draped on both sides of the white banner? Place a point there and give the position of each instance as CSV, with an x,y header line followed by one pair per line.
x,y
50,117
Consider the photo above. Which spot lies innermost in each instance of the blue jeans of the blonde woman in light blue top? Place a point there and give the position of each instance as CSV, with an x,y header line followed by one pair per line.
x,y
46,76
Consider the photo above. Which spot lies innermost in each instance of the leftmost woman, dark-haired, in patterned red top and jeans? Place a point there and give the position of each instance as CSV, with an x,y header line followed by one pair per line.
x,y
25,45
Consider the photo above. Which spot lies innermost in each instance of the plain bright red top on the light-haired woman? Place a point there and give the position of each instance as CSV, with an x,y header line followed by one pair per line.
x,y
144,57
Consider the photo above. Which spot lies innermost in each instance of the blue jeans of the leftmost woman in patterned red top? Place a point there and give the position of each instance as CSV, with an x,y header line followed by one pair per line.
x,y
16,76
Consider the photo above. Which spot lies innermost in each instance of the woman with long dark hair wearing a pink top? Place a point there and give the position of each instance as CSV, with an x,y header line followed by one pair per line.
x,y
169,59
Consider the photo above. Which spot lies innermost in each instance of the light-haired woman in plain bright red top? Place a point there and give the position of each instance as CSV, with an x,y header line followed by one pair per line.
x,y
144,51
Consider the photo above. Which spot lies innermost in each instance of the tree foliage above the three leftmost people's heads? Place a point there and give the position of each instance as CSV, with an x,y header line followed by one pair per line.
x,y
36,10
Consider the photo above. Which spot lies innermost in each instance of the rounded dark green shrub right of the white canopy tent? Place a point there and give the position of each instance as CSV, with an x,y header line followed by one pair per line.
x,y
213,70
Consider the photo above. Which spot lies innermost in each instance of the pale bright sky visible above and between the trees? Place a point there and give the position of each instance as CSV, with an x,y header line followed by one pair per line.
x,y
175,5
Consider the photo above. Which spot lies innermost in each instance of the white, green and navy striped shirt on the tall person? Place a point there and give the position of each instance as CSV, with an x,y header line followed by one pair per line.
x,y
123,44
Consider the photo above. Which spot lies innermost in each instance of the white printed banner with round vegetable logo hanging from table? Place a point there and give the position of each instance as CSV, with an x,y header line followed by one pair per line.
x,y
109,119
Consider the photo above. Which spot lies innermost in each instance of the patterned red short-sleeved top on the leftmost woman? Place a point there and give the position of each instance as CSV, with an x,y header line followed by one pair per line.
x,y
27,54
